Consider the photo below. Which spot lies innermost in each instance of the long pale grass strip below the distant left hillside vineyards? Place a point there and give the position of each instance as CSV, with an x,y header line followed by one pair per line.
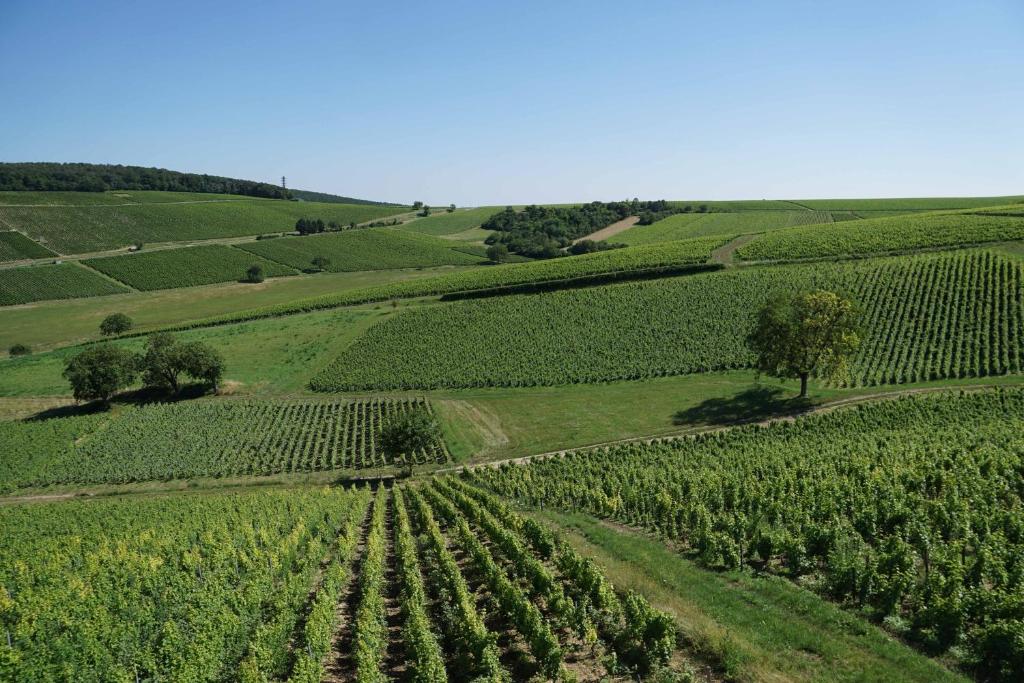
x,y
54,324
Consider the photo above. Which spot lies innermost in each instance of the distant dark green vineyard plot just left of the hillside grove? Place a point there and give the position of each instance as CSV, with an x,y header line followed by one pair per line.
x,y
373,249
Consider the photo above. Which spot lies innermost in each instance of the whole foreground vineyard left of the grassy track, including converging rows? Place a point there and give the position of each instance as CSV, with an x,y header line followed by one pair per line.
x,y
442,582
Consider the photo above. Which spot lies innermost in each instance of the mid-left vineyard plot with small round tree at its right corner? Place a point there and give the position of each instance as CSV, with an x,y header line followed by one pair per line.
x,y
181,441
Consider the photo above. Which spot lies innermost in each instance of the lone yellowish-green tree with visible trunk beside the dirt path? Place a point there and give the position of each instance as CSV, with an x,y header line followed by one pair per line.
x,y
813,333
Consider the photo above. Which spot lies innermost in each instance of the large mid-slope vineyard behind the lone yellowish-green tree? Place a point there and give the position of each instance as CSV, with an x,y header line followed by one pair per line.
x,y
920,323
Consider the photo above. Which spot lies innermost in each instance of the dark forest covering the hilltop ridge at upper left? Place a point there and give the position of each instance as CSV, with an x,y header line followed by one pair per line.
x,y
101,178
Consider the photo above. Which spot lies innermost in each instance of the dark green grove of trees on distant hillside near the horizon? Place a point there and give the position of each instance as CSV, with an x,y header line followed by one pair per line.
x,y
544,232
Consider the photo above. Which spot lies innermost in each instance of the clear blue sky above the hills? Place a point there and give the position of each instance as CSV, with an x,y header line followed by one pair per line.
x,y
486,103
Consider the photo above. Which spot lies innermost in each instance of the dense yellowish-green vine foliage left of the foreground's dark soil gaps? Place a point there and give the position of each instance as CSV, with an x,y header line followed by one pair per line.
x,y
181,588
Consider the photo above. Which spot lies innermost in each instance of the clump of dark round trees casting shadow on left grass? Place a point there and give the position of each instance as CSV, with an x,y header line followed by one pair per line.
x,y
102,371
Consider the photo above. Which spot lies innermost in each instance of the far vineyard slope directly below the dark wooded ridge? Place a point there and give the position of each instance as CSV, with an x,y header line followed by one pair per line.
x,y
75,230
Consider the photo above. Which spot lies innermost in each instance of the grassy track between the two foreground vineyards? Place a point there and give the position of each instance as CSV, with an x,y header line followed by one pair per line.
x,y
754,628
